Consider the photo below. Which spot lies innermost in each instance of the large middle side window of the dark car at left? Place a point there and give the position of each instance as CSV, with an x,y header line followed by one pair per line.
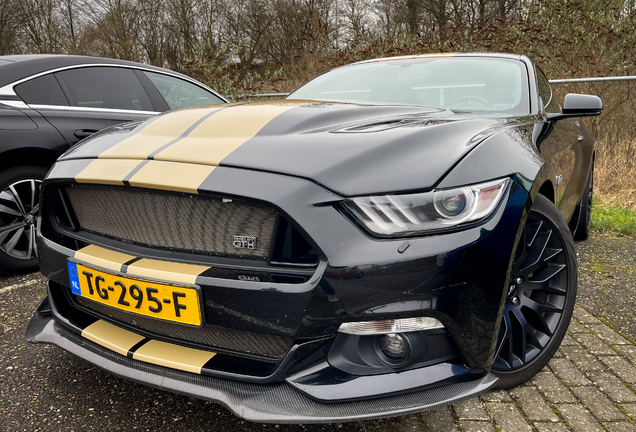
x,y
105,87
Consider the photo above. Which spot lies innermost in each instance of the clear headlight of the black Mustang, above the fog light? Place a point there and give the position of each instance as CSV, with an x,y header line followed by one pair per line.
x,y
416,214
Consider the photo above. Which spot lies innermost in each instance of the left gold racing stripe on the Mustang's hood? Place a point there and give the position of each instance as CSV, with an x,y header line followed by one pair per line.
x,y
156,134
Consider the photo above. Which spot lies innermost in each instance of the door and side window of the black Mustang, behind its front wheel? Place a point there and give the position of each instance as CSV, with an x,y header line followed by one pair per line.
x,y
566,146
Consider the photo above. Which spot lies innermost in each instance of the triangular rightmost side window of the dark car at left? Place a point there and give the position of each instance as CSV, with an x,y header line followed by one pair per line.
x,y
181,94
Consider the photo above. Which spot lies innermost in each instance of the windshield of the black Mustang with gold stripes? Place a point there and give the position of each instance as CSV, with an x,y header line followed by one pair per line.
x,y
459,83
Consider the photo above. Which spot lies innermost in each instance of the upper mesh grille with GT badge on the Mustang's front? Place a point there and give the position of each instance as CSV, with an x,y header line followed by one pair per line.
x,y
170,221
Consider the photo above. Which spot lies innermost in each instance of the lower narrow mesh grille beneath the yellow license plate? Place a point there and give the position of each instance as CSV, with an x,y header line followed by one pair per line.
x,y
209,335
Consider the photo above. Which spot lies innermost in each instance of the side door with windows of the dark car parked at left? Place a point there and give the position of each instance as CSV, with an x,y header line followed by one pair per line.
x,y
93,99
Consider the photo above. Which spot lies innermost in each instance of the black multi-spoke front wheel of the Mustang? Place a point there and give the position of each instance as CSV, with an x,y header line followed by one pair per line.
x,y
541,298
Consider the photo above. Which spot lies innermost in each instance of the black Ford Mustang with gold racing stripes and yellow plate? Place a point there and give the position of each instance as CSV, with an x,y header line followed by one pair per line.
x,y
391,238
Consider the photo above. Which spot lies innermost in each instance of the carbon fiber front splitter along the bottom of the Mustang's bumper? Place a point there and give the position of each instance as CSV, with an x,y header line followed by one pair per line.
x,y
270,403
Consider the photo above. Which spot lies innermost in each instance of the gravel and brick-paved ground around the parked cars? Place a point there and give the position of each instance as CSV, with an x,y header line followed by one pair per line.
x,y
589,385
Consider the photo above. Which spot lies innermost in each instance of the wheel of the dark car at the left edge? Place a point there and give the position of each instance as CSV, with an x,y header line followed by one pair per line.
x,y
19,204
